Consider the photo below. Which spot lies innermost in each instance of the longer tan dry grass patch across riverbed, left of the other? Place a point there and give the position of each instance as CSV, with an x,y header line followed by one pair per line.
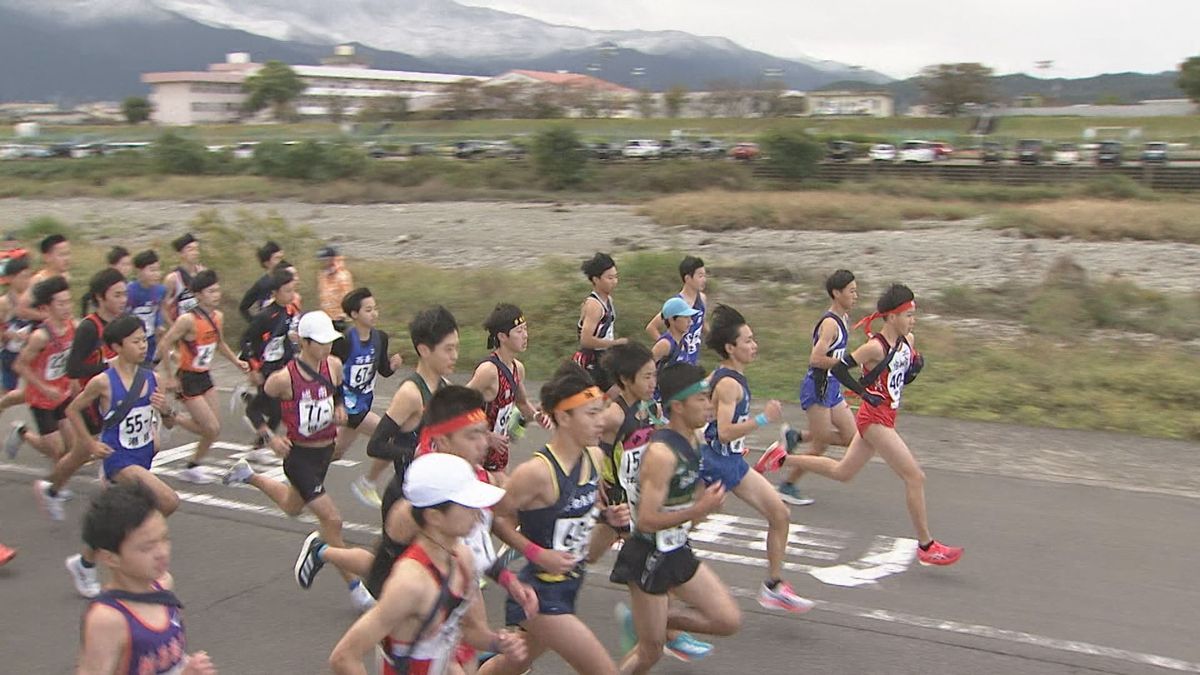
x,y
835,211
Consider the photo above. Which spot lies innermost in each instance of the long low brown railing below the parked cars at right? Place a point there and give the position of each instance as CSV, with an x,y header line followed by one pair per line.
x,y
1183,180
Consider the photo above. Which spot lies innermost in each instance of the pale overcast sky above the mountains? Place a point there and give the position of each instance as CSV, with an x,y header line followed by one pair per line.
x,y
898,38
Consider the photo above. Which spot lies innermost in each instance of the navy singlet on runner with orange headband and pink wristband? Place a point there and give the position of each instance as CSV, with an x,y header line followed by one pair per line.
x,y
567,524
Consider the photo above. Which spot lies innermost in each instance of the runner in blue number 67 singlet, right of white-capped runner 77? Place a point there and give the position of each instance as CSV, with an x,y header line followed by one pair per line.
x,y
364,355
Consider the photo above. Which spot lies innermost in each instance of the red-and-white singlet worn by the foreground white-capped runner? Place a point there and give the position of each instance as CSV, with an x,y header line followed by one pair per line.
x,y
433,649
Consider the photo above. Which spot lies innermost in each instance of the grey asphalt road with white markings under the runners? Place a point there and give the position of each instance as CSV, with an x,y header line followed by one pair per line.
x,y
1081,554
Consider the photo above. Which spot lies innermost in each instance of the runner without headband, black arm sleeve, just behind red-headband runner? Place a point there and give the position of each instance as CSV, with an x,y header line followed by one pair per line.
x,y
435,336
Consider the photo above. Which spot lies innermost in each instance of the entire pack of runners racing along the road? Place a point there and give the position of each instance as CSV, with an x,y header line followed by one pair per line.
x,y
645,444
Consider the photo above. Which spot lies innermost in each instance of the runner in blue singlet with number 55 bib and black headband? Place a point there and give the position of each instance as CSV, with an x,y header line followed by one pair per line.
x,y
129,434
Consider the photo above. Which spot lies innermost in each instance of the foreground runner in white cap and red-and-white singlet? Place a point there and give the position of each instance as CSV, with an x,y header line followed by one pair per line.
x,y
433,600
